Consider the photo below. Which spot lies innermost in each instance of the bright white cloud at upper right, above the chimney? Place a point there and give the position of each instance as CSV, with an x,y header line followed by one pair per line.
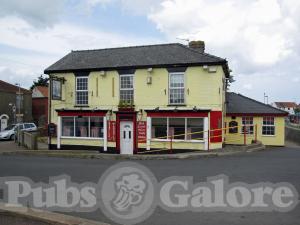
x,y
260,31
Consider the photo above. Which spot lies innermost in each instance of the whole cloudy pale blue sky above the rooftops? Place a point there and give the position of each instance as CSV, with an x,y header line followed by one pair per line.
x,y
259,38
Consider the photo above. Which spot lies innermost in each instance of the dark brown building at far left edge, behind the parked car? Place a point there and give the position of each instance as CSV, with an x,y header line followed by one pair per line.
x,y
15,104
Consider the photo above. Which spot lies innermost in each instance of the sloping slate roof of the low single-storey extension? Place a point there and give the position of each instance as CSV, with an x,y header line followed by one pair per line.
x,y
240,104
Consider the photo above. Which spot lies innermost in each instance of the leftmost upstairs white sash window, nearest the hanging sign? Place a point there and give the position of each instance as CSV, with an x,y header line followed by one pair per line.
x,y
82,91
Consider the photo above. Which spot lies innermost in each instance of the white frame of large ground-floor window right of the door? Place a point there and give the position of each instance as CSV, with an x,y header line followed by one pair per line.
x,y
185,130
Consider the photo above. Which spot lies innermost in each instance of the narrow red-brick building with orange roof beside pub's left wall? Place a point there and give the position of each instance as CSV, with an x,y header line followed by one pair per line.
x,y
40,105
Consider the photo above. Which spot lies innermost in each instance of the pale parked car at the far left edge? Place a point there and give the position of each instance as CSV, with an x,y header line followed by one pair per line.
x,y
9,132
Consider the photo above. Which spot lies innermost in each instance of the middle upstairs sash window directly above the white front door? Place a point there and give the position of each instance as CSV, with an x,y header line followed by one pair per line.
x,y
126,88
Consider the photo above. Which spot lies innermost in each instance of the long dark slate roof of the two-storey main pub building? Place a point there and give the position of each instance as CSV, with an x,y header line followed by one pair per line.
x,y
161,55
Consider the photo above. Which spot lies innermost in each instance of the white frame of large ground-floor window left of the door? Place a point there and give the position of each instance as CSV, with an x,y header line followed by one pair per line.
x,y
89,128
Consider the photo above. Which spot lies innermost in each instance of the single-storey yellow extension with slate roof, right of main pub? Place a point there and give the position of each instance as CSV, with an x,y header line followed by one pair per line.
x,y
255,118
